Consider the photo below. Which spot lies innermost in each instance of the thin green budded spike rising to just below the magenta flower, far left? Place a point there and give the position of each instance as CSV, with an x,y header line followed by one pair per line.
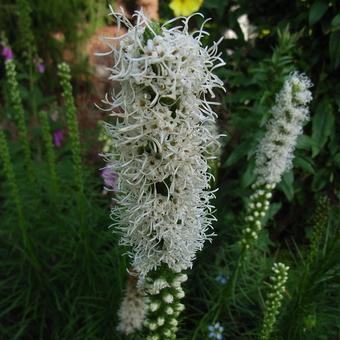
x,y
16,103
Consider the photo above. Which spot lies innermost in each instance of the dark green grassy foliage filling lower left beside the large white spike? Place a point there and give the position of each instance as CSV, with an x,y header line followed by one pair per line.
x,y
58,270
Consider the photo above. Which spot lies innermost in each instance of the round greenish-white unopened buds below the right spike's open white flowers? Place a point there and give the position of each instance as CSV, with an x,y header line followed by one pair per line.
x,y
256,211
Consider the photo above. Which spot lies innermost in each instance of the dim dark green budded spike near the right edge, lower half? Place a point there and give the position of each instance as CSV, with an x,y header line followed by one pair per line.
x,y
320,220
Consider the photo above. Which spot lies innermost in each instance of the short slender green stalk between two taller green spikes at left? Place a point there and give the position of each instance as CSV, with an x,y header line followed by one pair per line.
x,y
51,157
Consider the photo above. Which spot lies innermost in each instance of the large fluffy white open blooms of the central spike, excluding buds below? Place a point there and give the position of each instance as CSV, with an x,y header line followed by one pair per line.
x,y
162,137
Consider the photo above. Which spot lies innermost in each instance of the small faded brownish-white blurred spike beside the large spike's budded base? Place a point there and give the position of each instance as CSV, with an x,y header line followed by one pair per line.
x,y
132,310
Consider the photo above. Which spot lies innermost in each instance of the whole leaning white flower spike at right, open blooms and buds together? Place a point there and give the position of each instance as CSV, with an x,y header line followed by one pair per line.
x,y
275,152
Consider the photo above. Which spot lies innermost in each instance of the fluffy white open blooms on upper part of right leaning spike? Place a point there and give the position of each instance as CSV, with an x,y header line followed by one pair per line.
x,y
275,153
